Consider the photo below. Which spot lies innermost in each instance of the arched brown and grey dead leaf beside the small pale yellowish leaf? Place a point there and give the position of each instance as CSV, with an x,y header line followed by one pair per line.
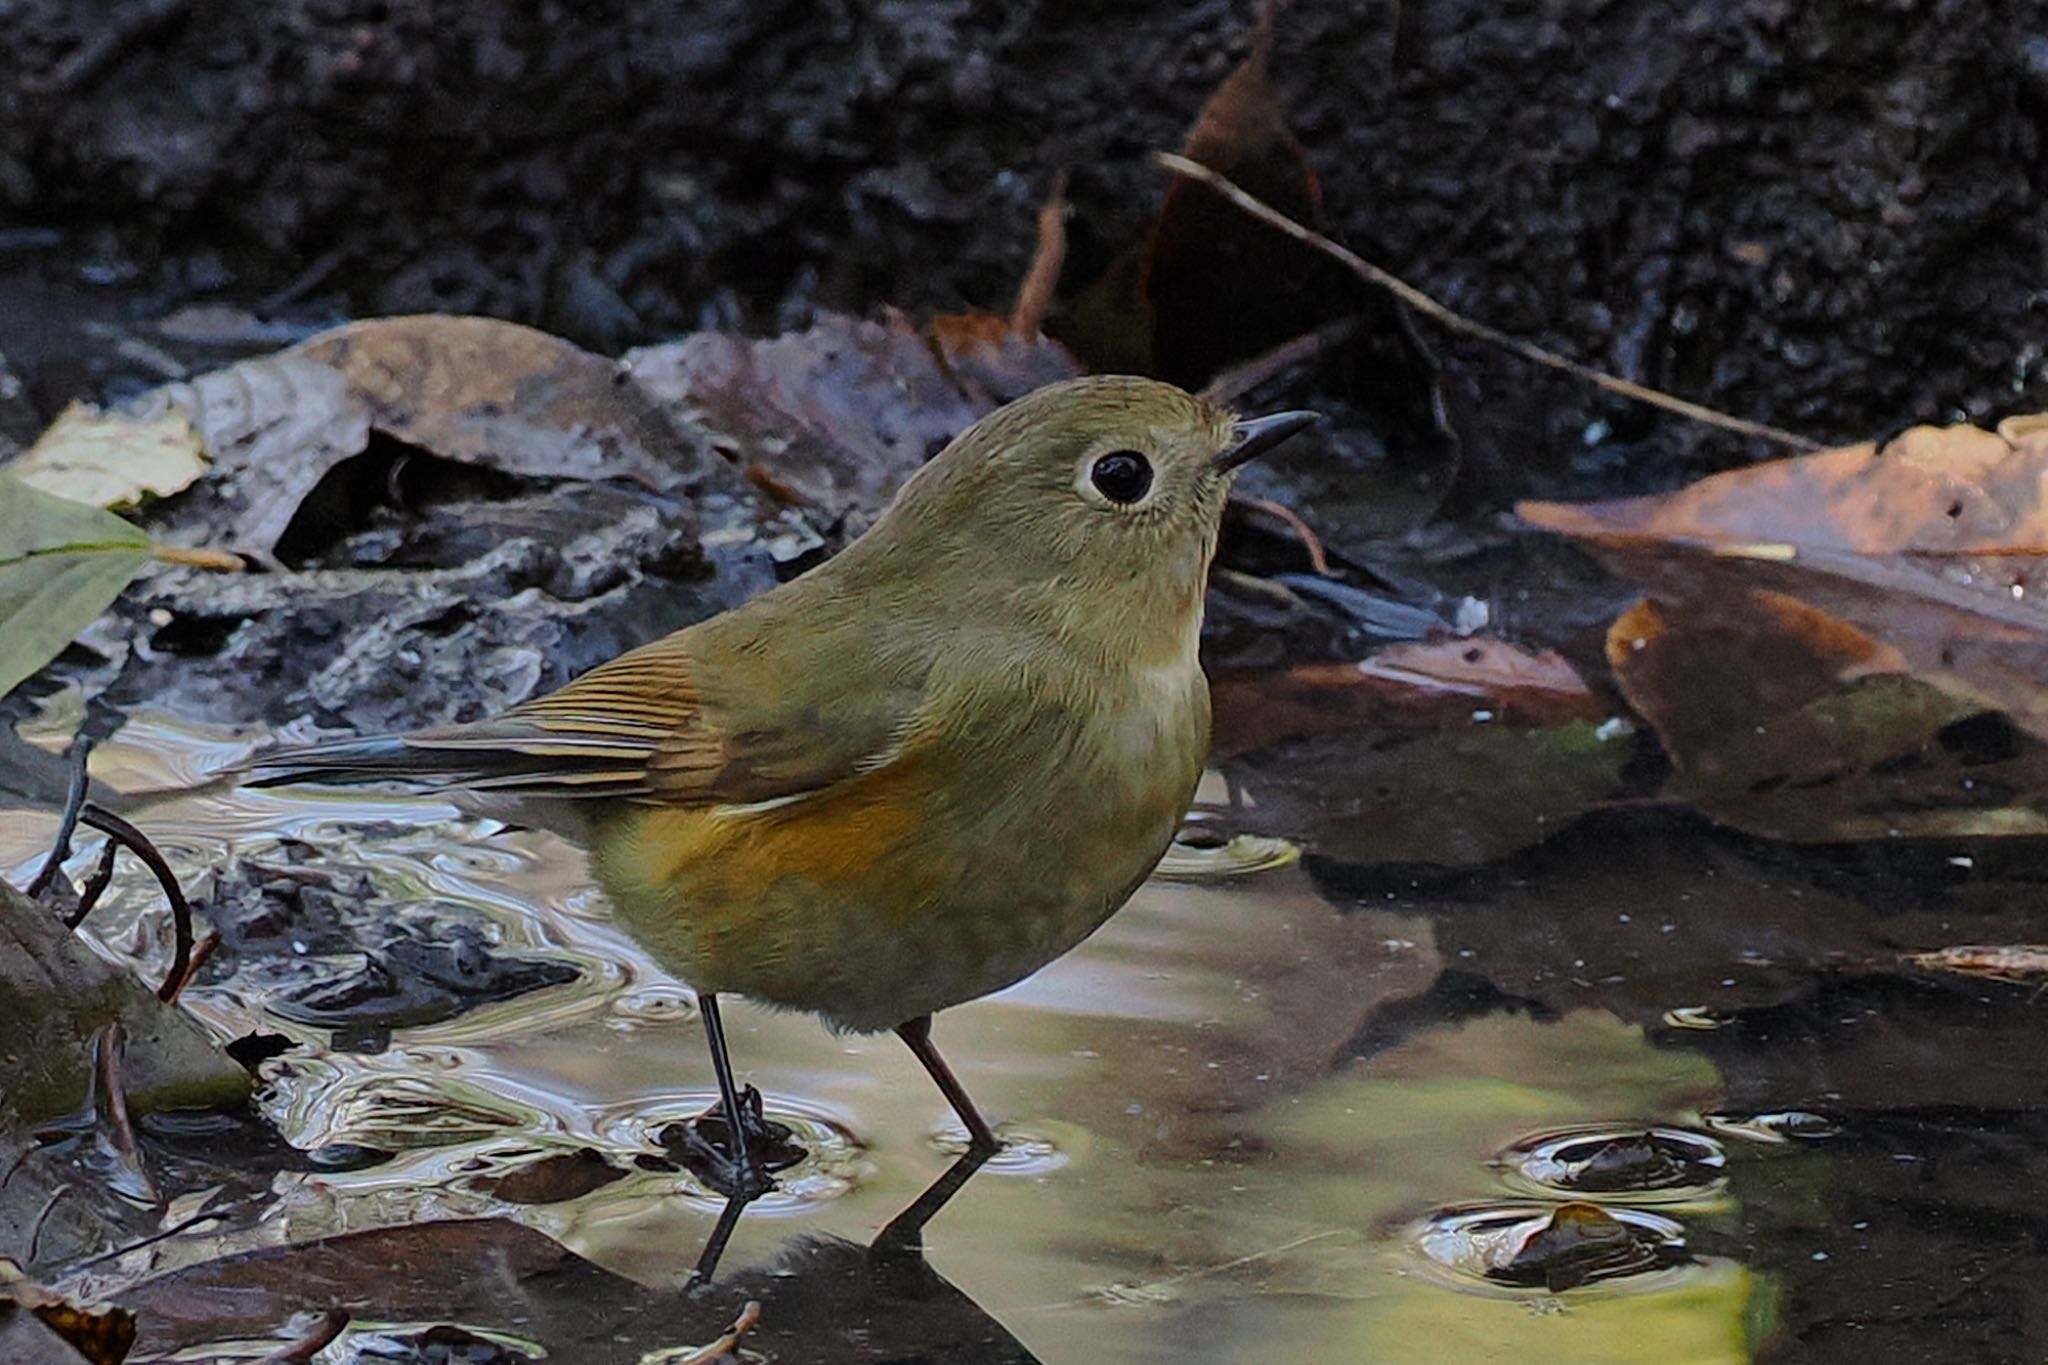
x,y
468,390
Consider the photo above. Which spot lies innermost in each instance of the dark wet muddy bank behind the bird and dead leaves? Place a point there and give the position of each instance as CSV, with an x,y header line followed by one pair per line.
x,y
1826,216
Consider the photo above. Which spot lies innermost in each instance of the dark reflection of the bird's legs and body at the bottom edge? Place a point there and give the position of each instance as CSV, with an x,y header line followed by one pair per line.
x,y
833,1301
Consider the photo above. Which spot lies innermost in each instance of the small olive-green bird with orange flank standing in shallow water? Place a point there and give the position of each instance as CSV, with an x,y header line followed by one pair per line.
x,y
919,773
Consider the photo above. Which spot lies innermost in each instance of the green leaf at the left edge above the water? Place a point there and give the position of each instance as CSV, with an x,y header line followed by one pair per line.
x,y
60,566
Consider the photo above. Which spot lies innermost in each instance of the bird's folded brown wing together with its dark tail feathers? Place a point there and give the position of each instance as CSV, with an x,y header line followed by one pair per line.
x,y
644,728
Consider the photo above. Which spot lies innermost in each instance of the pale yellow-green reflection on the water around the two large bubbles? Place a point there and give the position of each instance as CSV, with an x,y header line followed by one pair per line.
x,y
1342,1168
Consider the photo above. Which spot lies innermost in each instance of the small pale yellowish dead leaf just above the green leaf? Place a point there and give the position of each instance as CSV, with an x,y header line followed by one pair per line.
x,y
112,459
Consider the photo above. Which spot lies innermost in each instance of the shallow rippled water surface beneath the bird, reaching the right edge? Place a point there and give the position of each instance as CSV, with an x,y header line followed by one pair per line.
x,y
1308,1112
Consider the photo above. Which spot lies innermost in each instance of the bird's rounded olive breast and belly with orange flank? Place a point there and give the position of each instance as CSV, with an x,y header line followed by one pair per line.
x,y
994,840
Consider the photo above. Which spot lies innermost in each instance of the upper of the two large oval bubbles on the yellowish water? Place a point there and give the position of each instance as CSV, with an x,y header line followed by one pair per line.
x,y
1607,1163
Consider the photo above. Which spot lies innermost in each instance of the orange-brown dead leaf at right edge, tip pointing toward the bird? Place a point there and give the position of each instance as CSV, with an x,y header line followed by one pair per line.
x,y
1936,547
